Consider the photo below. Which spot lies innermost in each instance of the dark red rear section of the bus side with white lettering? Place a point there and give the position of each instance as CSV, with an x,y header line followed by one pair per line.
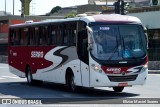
x,y
19,57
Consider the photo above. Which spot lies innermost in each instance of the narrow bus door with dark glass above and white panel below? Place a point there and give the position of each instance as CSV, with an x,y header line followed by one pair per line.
x,y
83,56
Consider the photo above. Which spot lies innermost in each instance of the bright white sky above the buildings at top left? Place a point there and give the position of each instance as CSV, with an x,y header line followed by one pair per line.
x,y
38,7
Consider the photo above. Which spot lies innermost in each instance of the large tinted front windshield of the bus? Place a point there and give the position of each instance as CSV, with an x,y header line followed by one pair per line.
x,y
118,42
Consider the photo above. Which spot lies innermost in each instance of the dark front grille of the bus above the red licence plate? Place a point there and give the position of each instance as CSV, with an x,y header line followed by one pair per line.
x,y
122,78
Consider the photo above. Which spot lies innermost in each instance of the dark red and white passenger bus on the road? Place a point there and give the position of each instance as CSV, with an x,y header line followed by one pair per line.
x,y
88,51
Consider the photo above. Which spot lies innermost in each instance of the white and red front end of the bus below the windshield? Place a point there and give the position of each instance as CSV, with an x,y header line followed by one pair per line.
x,y
99,77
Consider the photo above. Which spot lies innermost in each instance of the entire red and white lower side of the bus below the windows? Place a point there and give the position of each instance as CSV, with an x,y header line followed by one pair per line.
x,y
49,66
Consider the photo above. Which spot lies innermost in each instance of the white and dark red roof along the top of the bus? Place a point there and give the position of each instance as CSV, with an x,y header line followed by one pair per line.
x,y
109,18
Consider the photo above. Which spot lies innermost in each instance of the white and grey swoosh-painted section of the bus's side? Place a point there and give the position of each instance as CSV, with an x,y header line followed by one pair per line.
x,y
63,58
